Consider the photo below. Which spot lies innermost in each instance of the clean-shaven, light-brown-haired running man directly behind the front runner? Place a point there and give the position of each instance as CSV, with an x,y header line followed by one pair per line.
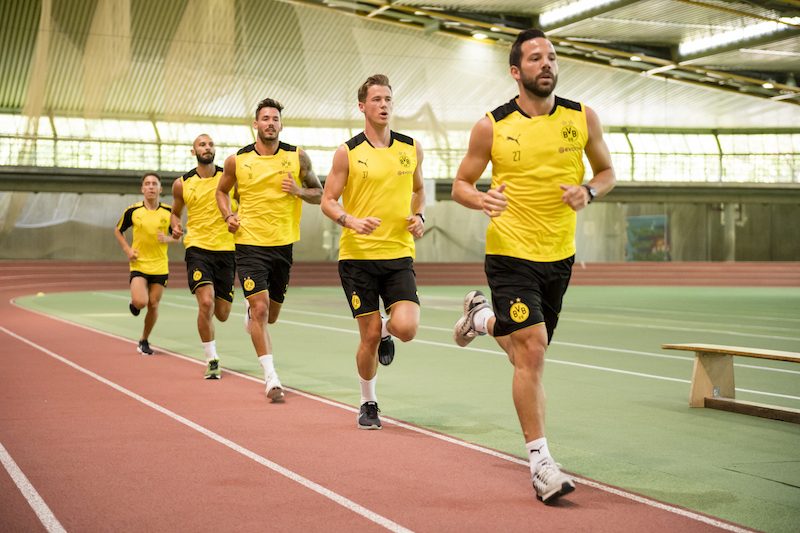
x,y
379,175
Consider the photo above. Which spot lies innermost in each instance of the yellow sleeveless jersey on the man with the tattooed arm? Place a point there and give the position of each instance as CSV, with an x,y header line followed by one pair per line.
x,y
267,215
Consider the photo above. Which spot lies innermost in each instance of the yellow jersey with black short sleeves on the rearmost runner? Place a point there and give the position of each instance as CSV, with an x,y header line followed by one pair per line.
x,y
147,224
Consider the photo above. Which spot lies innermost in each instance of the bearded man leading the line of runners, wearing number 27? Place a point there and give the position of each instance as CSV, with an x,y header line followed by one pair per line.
x,y
536,143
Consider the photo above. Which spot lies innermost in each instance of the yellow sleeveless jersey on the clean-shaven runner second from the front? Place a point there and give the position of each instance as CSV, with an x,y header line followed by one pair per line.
x,y
379,184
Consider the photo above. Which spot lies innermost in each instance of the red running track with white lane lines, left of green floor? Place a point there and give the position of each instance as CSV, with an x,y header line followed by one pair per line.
x,y
111,440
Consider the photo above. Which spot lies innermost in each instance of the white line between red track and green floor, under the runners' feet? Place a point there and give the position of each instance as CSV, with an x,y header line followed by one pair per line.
x,y
446,438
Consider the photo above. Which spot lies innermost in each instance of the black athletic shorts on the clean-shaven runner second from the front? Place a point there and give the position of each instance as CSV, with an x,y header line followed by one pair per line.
x,y
364,281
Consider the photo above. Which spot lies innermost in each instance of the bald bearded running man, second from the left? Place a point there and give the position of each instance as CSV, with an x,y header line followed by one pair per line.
x,y
210,256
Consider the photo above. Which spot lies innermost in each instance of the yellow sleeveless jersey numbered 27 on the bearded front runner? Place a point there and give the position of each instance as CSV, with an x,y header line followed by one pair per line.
x,y
532,156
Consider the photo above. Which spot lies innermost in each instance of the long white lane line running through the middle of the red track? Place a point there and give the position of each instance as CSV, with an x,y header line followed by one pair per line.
x,y
297,478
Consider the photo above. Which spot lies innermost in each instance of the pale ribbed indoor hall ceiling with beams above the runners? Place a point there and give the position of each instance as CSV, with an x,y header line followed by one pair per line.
x,y
213,60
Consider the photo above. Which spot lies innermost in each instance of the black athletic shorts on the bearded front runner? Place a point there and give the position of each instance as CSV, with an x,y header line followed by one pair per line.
x,y
525,293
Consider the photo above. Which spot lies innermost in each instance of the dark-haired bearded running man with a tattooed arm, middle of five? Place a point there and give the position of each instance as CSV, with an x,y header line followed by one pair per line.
x,y
273,179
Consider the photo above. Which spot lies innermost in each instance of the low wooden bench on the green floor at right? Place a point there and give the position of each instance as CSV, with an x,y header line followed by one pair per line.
x,y
713,384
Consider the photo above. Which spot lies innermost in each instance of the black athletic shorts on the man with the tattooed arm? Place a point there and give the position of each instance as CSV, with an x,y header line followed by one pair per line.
x,y
264,268
